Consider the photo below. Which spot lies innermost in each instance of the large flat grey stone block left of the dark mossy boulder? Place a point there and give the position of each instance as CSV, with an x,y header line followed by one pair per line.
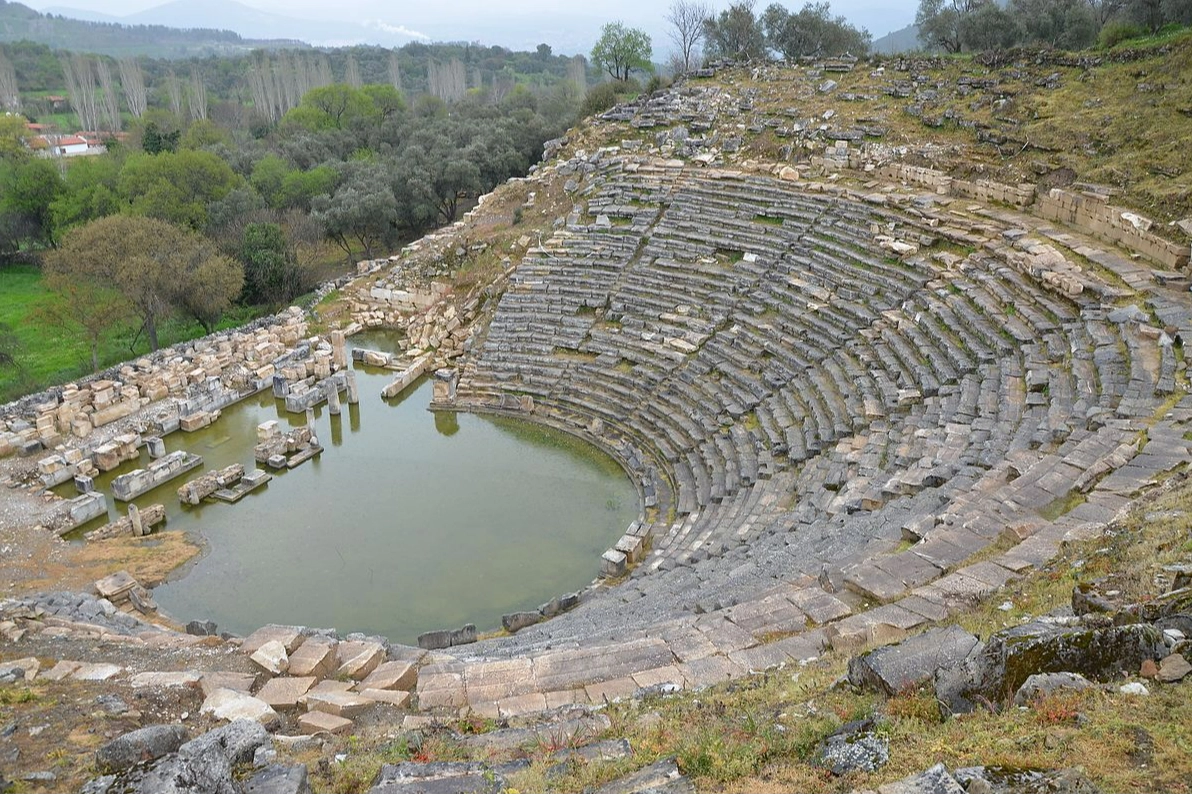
x,y
893,669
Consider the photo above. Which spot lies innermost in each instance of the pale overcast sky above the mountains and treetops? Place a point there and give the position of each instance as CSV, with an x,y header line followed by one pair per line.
x,y
568,27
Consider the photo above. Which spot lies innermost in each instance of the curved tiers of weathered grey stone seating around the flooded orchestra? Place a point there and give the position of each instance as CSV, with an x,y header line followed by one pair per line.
x,y
805,403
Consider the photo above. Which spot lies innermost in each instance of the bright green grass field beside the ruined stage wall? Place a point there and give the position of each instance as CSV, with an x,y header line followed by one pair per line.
x,y
52,355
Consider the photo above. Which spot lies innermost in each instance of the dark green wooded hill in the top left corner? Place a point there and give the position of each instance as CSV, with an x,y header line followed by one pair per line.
x,y
119,39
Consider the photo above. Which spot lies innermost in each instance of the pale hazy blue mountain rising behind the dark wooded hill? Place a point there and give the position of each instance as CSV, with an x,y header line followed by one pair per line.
x,y
253,23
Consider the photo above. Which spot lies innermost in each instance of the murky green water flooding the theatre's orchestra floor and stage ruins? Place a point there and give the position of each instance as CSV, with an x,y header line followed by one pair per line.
x,y
409,521
